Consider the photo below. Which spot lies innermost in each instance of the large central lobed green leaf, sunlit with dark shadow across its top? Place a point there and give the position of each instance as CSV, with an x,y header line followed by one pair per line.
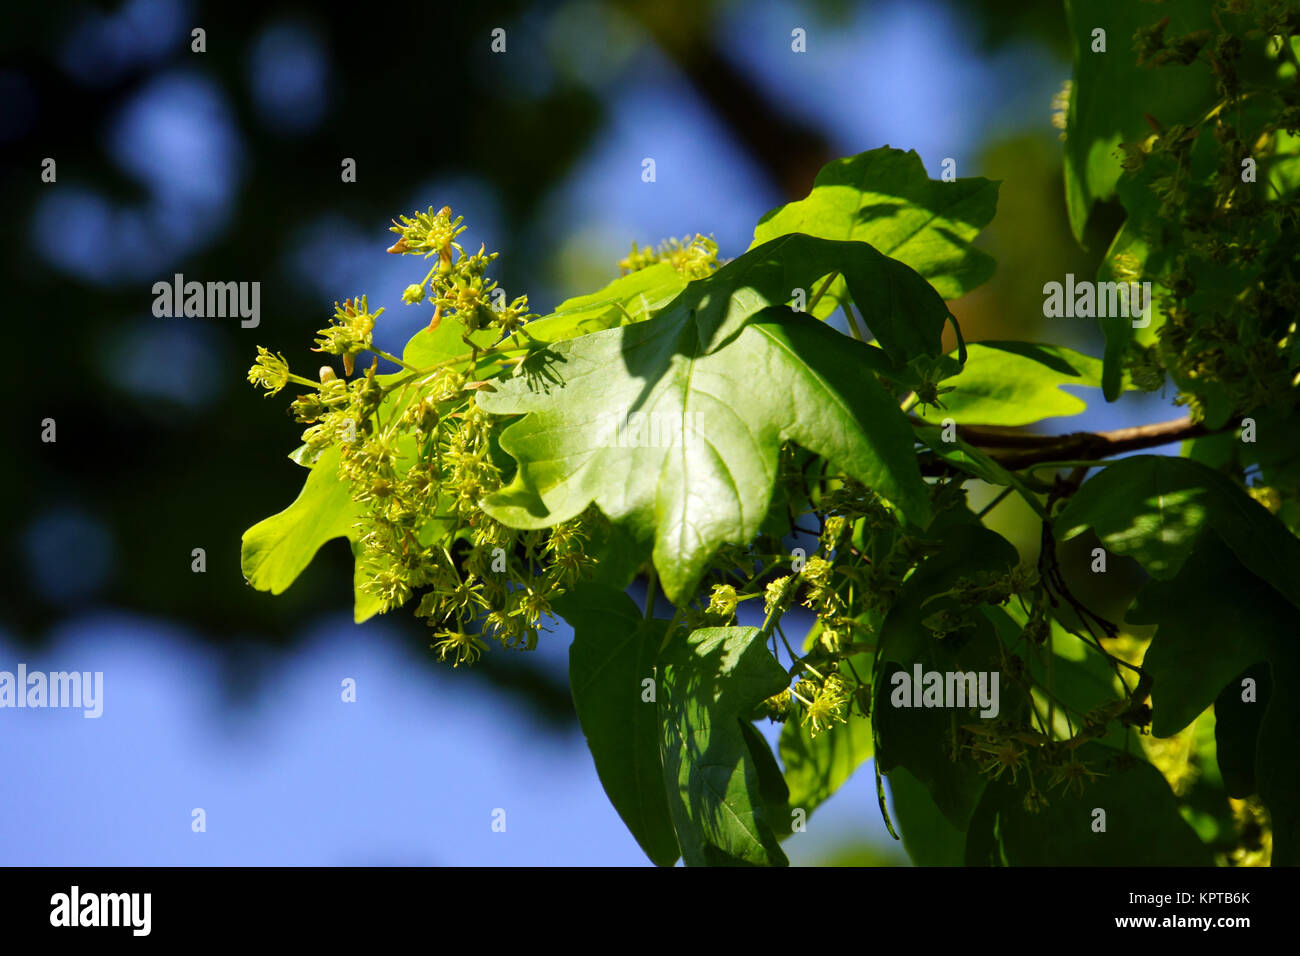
x,y
722,380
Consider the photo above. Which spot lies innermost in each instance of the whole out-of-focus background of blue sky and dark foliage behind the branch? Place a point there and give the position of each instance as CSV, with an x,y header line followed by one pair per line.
x,y
226,166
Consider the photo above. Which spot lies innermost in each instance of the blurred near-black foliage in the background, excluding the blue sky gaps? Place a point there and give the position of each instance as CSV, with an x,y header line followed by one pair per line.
x,y
413,96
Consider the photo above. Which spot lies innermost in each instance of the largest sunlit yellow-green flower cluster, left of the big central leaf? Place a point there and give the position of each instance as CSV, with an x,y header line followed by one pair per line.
x,y
415,453
